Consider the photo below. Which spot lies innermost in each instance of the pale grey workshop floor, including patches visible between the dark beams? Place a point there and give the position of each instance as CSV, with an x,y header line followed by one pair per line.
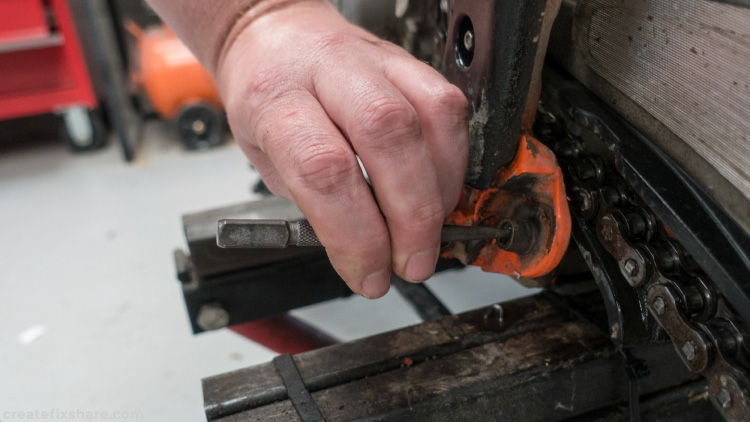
x,y
93,319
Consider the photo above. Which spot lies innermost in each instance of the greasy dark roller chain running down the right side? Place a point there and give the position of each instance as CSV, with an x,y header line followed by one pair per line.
x,y
707,335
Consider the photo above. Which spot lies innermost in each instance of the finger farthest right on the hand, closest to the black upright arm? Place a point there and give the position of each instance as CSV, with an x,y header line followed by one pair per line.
x,y
443,114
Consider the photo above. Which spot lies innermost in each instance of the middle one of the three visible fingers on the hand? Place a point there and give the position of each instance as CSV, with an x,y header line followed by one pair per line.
x,y
384,130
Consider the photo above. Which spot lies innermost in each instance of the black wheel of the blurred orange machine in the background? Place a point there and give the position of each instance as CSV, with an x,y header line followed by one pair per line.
x,y
200,126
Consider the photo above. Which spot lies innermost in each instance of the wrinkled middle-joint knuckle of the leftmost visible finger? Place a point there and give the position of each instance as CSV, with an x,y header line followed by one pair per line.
x,y
326,169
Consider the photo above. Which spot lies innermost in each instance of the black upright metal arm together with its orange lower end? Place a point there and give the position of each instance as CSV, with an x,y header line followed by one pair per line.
x,y
527,192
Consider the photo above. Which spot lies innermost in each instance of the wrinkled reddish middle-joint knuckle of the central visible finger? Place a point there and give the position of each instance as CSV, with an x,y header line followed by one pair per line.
x,y
389,124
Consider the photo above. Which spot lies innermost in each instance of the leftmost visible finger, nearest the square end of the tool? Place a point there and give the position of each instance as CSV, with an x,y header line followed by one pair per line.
x,y
320,170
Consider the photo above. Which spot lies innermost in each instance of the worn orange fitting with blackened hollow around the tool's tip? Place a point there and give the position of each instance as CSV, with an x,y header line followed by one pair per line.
x,y
530,189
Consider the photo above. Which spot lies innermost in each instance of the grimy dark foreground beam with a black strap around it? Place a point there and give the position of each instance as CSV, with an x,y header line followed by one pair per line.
x,y
538,365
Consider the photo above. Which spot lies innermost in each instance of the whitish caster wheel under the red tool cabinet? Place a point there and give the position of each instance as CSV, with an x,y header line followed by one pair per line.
x,y
82,129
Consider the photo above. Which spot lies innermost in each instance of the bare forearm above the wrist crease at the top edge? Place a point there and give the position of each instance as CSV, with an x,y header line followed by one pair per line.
x,y
208,26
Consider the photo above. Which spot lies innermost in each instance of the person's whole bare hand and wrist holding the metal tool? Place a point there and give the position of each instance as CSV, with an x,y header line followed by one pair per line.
x,y
307,93
